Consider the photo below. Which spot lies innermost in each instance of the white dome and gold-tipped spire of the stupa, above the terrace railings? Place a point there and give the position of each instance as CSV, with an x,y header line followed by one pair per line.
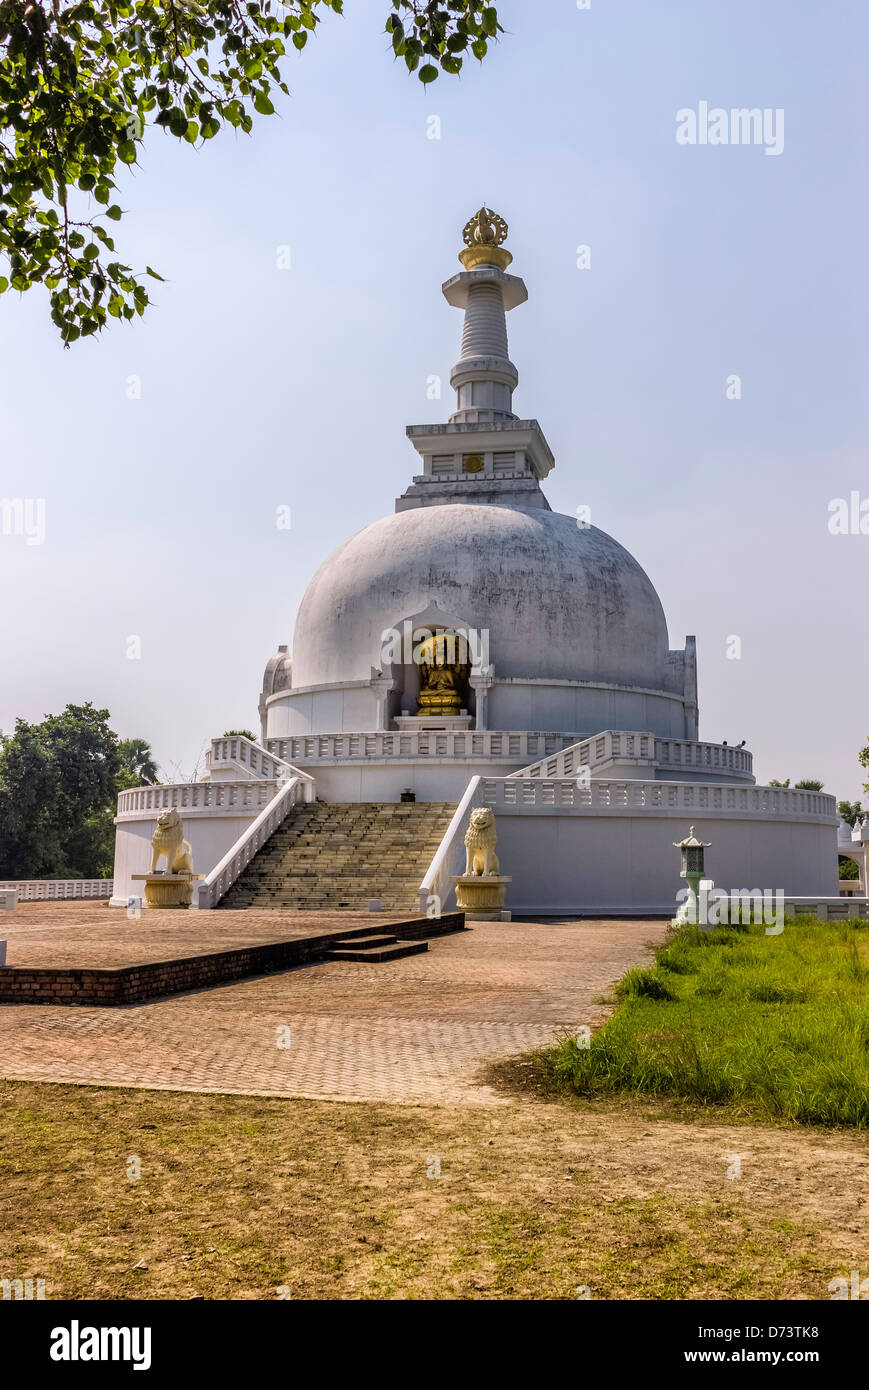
x,y
576,637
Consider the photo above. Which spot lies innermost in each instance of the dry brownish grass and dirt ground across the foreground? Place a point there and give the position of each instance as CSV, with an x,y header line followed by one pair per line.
x,y
241,1197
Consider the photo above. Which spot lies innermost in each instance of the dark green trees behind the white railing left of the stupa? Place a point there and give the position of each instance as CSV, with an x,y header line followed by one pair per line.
x,y
59,786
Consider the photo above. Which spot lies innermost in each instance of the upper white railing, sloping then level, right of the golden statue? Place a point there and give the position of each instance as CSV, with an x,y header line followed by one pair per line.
x,y
643,750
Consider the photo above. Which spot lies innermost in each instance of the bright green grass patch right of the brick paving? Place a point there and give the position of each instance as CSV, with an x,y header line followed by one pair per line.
x,y
778,1027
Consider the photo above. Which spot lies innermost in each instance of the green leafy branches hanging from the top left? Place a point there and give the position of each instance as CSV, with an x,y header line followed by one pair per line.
x,y
81,83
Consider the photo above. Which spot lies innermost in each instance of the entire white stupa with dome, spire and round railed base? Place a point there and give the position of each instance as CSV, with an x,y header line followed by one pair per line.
x,y
554,697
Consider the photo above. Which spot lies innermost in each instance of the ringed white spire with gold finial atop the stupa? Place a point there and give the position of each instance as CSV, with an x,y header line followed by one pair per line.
x,y
485,377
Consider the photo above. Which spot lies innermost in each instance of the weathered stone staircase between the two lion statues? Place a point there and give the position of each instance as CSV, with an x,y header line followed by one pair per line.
x,y
327,857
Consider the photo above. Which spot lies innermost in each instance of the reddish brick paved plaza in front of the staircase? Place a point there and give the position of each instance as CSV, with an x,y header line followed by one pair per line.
x,y
414,1031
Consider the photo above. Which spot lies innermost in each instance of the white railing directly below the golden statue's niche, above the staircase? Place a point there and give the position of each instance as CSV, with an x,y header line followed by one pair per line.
x,y
492,744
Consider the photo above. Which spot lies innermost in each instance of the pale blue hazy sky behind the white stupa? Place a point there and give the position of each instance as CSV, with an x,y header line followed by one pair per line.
x,y
263,387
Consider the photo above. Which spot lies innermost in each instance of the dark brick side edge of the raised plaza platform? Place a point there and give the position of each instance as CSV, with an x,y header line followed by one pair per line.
x,y
154,981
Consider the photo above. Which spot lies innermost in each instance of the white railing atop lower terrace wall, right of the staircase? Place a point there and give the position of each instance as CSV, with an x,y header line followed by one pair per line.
x,y
558,796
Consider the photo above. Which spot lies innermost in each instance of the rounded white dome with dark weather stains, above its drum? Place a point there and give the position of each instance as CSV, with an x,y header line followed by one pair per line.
x,y
560,603
